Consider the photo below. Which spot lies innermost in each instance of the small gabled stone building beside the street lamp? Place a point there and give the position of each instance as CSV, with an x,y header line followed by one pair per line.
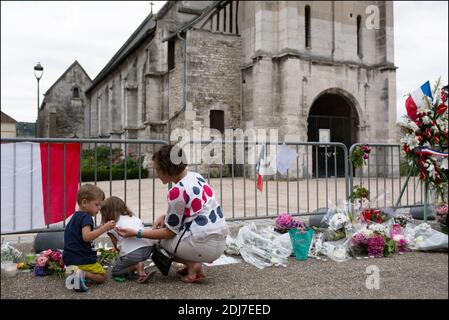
x,y
62,112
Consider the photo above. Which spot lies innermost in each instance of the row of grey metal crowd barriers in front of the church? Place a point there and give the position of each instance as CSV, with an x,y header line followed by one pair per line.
x,y
321,177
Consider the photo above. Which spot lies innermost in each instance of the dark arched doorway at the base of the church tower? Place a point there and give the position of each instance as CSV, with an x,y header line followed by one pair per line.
x,y
332,118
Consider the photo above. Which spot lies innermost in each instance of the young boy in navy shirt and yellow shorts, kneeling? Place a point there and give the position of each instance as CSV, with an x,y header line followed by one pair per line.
x,y
79,249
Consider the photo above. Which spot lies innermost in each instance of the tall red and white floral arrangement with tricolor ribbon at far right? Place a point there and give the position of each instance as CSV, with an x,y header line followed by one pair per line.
x,y
425,140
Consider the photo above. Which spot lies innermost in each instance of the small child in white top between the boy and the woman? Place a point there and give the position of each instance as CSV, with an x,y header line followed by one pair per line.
x,y
133,251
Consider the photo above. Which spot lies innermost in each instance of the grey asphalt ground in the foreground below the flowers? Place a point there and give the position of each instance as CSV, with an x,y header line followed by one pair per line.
x,y
415,275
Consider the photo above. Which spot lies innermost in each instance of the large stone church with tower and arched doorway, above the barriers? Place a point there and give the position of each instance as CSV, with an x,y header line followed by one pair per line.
x,y
306,68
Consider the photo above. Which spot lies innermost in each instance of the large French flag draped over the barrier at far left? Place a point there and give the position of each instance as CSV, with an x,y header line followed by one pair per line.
x,y
36,186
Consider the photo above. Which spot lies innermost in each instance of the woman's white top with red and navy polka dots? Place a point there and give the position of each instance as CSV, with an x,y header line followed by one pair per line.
x,y
193,198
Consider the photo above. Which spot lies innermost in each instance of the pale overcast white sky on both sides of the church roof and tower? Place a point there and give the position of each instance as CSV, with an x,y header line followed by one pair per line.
x,y
56,33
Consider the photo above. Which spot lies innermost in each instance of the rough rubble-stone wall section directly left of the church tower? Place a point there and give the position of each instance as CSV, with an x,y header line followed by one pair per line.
x,y
214,77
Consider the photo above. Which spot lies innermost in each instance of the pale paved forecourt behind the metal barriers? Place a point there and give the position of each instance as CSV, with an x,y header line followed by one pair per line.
x,y
239,197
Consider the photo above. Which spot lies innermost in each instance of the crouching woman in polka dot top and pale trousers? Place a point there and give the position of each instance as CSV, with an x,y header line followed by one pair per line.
x,y
193,214
